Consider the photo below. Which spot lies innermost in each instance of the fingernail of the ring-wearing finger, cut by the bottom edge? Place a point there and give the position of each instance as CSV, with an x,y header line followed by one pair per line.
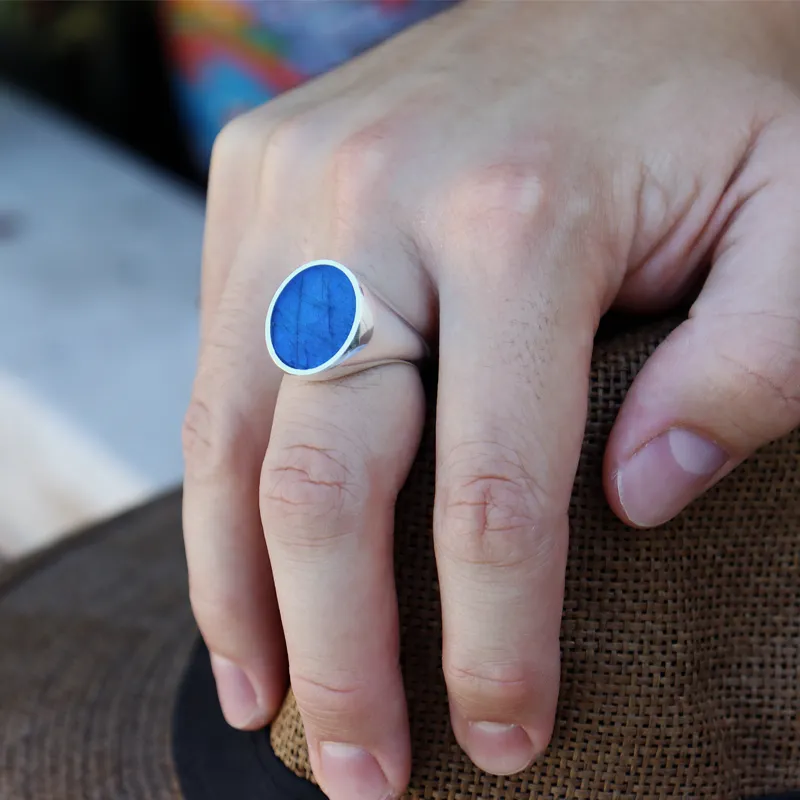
x,y
350,773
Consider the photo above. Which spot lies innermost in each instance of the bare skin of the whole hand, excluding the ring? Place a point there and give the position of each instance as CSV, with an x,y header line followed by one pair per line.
x,y
502,175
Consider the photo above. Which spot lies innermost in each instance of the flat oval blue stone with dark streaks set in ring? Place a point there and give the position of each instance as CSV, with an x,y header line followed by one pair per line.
x,y
313,316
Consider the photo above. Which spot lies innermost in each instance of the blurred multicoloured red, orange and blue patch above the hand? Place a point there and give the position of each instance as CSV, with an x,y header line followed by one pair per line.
x,y
231,55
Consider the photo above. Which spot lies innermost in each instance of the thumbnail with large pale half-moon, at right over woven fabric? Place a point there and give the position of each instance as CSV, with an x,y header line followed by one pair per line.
x,y
666,474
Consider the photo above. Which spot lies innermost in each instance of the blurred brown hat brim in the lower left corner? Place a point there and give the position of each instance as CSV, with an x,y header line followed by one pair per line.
x,y
94,637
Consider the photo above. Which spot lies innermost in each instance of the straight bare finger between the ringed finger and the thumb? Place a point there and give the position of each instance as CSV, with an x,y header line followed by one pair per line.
x,y
512,406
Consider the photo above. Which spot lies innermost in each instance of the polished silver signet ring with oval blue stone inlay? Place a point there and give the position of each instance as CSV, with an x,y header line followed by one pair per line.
x,y
323,323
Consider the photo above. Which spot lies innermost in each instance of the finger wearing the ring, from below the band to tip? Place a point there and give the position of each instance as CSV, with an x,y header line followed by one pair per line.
x,y
338,455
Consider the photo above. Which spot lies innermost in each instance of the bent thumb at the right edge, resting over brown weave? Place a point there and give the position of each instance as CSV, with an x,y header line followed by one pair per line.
x,y
727,381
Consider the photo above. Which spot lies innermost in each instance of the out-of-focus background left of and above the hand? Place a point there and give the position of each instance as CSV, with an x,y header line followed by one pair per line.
x,y
108,110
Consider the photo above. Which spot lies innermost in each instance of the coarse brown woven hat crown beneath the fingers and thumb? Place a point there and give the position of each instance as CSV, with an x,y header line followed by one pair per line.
x,y
681,646
